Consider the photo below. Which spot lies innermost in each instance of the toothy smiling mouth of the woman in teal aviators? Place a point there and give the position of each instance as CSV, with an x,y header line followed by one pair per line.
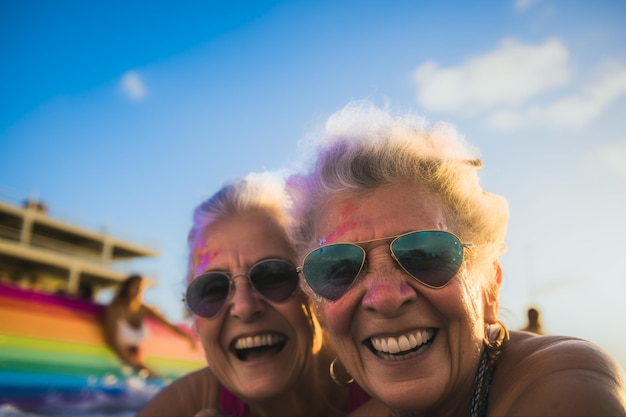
x,y
403,347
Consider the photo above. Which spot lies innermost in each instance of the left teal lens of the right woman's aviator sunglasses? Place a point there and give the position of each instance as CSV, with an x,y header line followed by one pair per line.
x,y
331,270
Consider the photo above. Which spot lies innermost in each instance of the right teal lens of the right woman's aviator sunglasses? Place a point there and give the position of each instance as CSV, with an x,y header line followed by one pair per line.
x,y
432,257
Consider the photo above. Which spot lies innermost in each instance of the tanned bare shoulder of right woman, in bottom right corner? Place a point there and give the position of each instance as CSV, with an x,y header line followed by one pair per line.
x,y
555,375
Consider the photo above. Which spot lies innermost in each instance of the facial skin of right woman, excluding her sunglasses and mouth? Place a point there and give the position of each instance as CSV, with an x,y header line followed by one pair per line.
x,y
385,302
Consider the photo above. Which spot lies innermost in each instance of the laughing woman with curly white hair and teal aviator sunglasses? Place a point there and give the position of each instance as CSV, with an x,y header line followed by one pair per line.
x,y
400,250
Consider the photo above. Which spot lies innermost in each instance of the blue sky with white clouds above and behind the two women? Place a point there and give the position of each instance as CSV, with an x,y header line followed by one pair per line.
x,y
125,115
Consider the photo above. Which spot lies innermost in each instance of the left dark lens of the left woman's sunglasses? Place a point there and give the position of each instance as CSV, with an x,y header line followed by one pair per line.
x,y
207,293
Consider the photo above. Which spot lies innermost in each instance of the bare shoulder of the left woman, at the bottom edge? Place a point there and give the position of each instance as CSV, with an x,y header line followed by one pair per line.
x,y
187,395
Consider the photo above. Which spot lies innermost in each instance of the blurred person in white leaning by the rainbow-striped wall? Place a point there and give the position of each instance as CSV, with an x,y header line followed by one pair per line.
x,y
125,328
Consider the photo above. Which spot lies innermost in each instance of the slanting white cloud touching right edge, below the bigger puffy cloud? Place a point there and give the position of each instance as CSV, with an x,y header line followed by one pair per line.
x,y
571,111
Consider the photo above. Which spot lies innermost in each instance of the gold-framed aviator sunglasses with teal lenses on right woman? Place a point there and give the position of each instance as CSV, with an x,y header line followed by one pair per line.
x,y
432,257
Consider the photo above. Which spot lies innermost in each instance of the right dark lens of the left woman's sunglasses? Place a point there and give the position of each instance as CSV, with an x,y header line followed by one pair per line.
x,y
276,280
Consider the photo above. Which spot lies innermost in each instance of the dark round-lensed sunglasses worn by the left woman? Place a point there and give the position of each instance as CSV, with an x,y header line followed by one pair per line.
x,y
274,279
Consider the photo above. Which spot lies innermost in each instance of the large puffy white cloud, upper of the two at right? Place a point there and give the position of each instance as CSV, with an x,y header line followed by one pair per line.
x,y
510,75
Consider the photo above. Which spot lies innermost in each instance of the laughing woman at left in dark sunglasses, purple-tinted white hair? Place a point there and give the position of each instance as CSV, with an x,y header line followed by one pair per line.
x,y
265,351
